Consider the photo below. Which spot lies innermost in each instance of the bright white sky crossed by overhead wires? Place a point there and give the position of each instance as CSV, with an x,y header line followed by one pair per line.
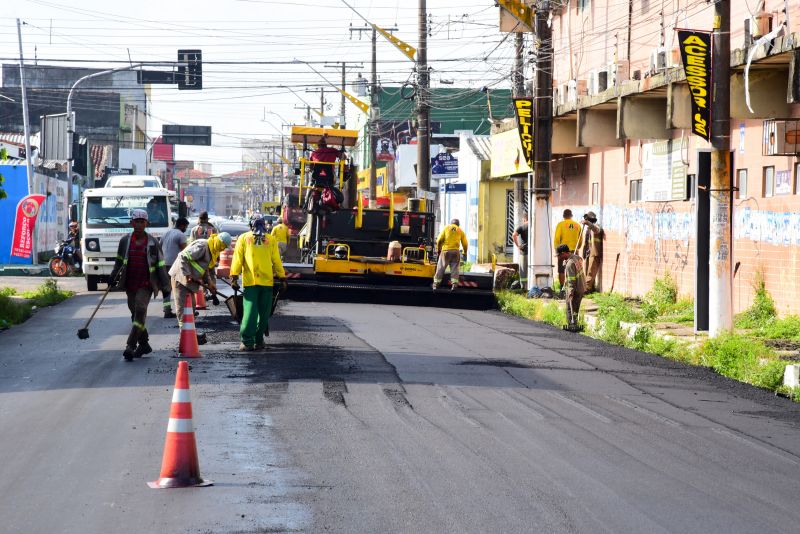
x,y
256,54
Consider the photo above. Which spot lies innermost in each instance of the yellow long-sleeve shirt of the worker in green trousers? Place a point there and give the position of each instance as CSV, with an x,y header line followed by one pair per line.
x,y
258,264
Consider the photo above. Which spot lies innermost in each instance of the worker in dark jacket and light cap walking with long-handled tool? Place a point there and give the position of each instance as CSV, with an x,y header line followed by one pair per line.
x,y
140,267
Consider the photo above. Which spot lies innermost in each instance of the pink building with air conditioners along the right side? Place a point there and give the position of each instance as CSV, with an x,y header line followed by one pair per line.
x,y
623,147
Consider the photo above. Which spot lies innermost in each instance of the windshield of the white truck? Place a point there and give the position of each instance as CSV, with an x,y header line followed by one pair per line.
x,y
115,211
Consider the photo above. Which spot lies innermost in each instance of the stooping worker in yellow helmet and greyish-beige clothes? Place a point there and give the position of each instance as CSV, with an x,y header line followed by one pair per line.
x,y
194,269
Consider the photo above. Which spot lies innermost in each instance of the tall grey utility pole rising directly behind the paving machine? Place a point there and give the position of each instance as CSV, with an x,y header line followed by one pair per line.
x,y
423,106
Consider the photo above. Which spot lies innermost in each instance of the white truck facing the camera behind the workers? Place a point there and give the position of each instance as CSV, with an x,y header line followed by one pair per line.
x,y
106,217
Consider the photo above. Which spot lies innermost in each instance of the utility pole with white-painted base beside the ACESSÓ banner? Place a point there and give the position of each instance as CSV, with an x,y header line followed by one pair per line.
x,y
720,253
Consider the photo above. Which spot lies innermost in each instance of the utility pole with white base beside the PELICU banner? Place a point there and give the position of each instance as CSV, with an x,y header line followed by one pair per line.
x,y
540,272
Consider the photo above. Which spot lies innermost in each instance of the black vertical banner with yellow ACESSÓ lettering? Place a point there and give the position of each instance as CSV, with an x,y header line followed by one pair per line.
x,y
696,53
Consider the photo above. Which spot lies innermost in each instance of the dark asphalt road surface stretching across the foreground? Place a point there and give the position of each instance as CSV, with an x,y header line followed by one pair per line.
x,y
367,418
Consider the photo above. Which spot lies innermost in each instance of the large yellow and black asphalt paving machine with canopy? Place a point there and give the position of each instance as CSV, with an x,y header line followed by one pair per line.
x,y
357,254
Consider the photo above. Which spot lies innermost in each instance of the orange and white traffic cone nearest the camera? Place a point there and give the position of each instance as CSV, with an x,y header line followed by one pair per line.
x,y
180,467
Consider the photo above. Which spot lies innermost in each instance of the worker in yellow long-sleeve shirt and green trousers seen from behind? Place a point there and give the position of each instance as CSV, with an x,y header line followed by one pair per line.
x,y
257,259
